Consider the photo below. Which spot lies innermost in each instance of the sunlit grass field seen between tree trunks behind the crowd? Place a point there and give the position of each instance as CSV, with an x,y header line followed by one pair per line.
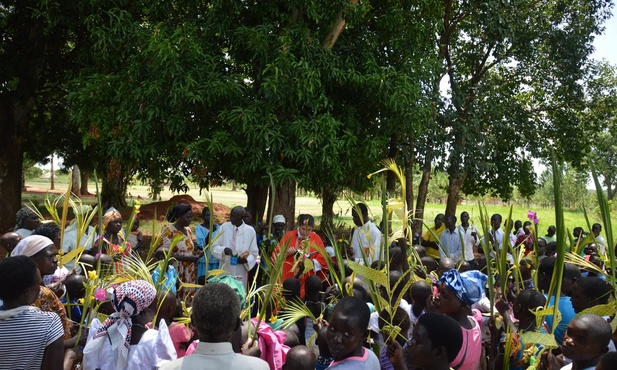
x,y
342,208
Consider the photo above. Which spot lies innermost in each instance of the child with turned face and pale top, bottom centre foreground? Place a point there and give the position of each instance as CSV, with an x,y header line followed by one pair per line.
x,y
347,331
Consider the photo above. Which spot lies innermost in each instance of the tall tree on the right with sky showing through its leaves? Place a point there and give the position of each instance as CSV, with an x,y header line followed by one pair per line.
x,y
538,49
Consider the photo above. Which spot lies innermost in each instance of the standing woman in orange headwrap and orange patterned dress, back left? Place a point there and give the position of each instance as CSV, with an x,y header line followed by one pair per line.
x,y
112,240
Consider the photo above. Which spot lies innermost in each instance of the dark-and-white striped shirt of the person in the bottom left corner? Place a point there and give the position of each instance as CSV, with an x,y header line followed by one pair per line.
x,y
25,335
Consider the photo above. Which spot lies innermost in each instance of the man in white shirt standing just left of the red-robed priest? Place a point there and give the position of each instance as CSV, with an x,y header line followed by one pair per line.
x,y
236,239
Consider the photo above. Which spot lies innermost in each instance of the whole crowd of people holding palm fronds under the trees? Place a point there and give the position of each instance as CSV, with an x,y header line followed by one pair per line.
x,y
430,307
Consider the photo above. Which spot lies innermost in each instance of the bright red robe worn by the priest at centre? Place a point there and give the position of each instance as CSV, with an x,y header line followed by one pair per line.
x,y
316,252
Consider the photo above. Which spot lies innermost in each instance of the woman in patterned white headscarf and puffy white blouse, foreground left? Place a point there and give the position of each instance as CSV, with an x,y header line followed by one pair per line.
x,y
123,341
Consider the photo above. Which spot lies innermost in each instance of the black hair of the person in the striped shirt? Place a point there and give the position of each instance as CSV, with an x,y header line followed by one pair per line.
x,y
16,274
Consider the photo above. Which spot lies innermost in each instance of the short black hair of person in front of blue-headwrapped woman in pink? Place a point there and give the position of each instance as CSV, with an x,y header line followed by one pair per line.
x,y
443,331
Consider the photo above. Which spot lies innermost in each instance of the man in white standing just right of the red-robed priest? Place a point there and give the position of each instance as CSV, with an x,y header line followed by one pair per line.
x,y
366,236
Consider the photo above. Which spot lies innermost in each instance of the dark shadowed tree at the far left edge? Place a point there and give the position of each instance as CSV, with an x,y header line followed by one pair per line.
x,y
39,44
